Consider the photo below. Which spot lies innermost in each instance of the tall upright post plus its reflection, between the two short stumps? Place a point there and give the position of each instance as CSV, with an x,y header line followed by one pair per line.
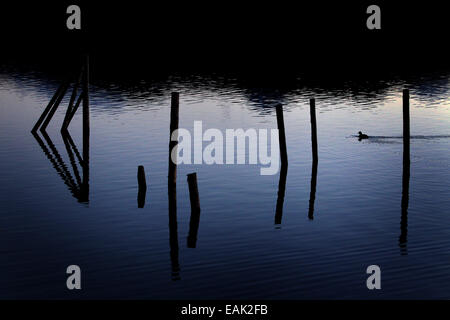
x,y
172,186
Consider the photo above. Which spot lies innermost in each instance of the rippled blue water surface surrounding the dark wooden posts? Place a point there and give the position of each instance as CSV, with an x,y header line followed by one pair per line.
x,y
125,252
